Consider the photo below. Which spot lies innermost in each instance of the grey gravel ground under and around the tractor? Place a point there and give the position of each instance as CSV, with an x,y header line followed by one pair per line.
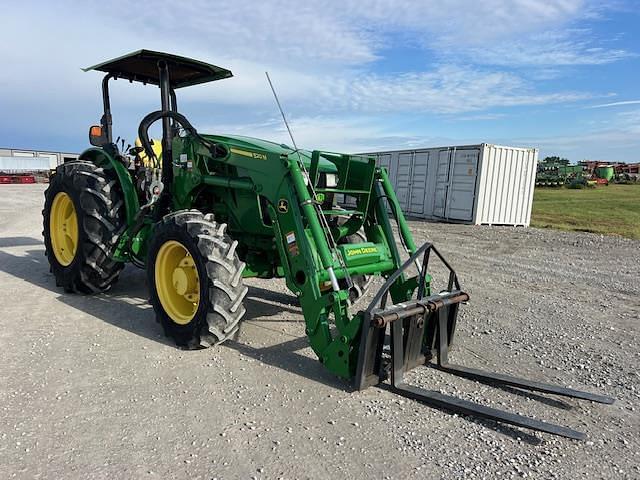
x,y
91,388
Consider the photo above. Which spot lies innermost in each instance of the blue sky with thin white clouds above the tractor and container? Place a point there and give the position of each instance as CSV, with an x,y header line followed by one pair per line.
x,y
558,75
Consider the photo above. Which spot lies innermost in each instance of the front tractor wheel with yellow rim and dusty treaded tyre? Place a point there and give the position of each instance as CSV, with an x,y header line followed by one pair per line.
x,y
195,280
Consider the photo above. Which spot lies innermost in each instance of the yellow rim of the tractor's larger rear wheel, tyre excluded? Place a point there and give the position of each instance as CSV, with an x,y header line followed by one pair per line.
x,y
63,228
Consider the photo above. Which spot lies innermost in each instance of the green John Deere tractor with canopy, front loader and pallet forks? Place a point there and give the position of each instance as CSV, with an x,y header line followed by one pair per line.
x,y
203,212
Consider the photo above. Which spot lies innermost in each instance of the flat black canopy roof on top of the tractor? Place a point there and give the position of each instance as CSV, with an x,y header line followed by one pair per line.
x,y
142,66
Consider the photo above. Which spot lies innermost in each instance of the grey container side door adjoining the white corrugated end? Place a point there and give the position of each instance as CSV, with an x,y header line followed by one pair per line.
x,y
462,190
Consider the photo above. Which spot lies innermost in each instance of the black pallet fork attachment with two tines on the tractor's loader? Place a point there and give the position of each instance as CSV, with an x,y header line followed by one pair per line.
x,y
422,329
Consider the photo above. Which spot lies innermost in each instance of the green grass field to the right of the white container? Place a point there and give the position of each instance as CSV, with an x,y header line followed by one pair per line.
x,y
612,210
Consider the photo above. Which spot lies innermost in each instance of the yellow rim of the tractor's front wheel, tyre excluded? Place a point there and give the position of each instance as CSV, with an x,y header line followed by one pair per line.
x,y
177,282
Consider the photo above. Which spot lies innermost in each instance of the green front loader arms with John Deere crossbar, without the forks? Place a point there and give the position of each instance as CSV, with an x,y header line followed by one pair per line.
x,y
318,268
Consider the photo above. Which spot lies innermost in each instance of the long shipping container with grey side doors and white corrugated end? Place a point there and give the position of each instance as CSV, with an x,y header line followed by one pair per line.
x,y
478,184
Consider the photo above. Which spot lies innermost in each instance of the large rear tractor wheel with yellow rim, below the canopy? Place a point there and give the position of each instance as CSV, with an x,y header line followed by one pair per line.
x,y
83,219
